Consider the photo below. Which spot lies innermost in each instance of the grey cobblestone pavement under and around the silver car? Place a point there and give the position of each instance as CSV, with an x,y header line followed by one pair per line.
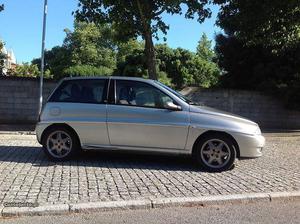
x,y
26,175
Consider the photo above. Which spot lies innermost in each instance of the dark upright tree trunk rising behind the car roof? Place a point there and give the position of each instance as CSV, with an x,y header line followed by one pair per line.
x,y
150,55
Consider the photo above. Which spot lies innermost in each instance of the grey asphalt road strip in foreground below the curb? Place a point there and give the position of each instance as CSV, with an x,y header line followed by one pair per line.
x,y
272,213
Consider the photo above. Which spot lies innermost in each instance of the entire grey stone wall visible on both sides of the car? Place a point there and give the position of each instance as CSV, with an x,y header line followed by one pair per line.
x,y
19,98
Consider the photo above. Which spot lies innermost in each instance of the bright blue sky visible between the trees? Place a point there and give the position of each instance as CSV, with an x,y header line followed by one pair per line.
x,y
21,27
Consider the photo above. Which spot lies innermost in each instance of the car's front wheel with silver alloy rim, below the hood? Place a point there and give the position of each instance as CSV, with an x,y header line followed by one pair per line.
x,y
215,152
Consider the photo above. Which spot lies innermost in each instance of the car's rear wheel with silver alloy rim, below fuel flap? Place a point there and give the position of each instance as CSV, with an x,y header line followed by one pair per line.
x,y
60,143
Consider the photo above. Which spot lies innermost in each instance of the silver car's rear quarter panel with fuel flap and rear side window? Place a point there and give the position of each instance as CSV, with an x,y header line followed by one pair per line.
x,y
81,103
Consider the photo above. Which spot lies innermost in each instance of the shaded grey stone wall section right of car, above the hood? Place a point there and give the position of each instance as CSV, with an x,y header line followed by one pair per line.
x,y
267,111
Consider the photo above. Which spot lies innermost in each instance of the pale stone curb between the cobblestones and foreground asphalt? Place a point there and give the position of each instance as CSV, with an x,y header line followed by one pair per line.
x,y
148,204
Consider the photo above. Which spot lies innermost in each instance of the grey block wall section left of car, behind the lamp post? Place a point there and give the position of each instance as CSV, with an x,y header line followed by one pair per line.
x,y
19,99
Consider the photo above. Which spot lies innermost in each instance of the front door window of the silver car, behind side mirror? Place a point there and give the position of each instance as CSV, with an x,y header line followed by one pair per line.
x,y
140,94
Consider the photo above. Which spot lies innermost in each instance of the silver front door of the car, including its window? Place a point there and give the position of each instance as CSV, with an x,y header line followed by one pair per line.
x,y
138,118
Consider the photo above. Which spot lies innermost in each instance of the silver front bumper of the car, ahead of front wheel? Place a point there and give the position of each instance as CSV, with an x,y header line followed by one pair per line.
x,y
251,146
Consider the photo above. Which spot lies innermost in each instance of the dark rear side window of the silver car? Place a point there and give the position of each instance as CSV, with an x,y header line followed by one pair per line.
x,y
80,91
